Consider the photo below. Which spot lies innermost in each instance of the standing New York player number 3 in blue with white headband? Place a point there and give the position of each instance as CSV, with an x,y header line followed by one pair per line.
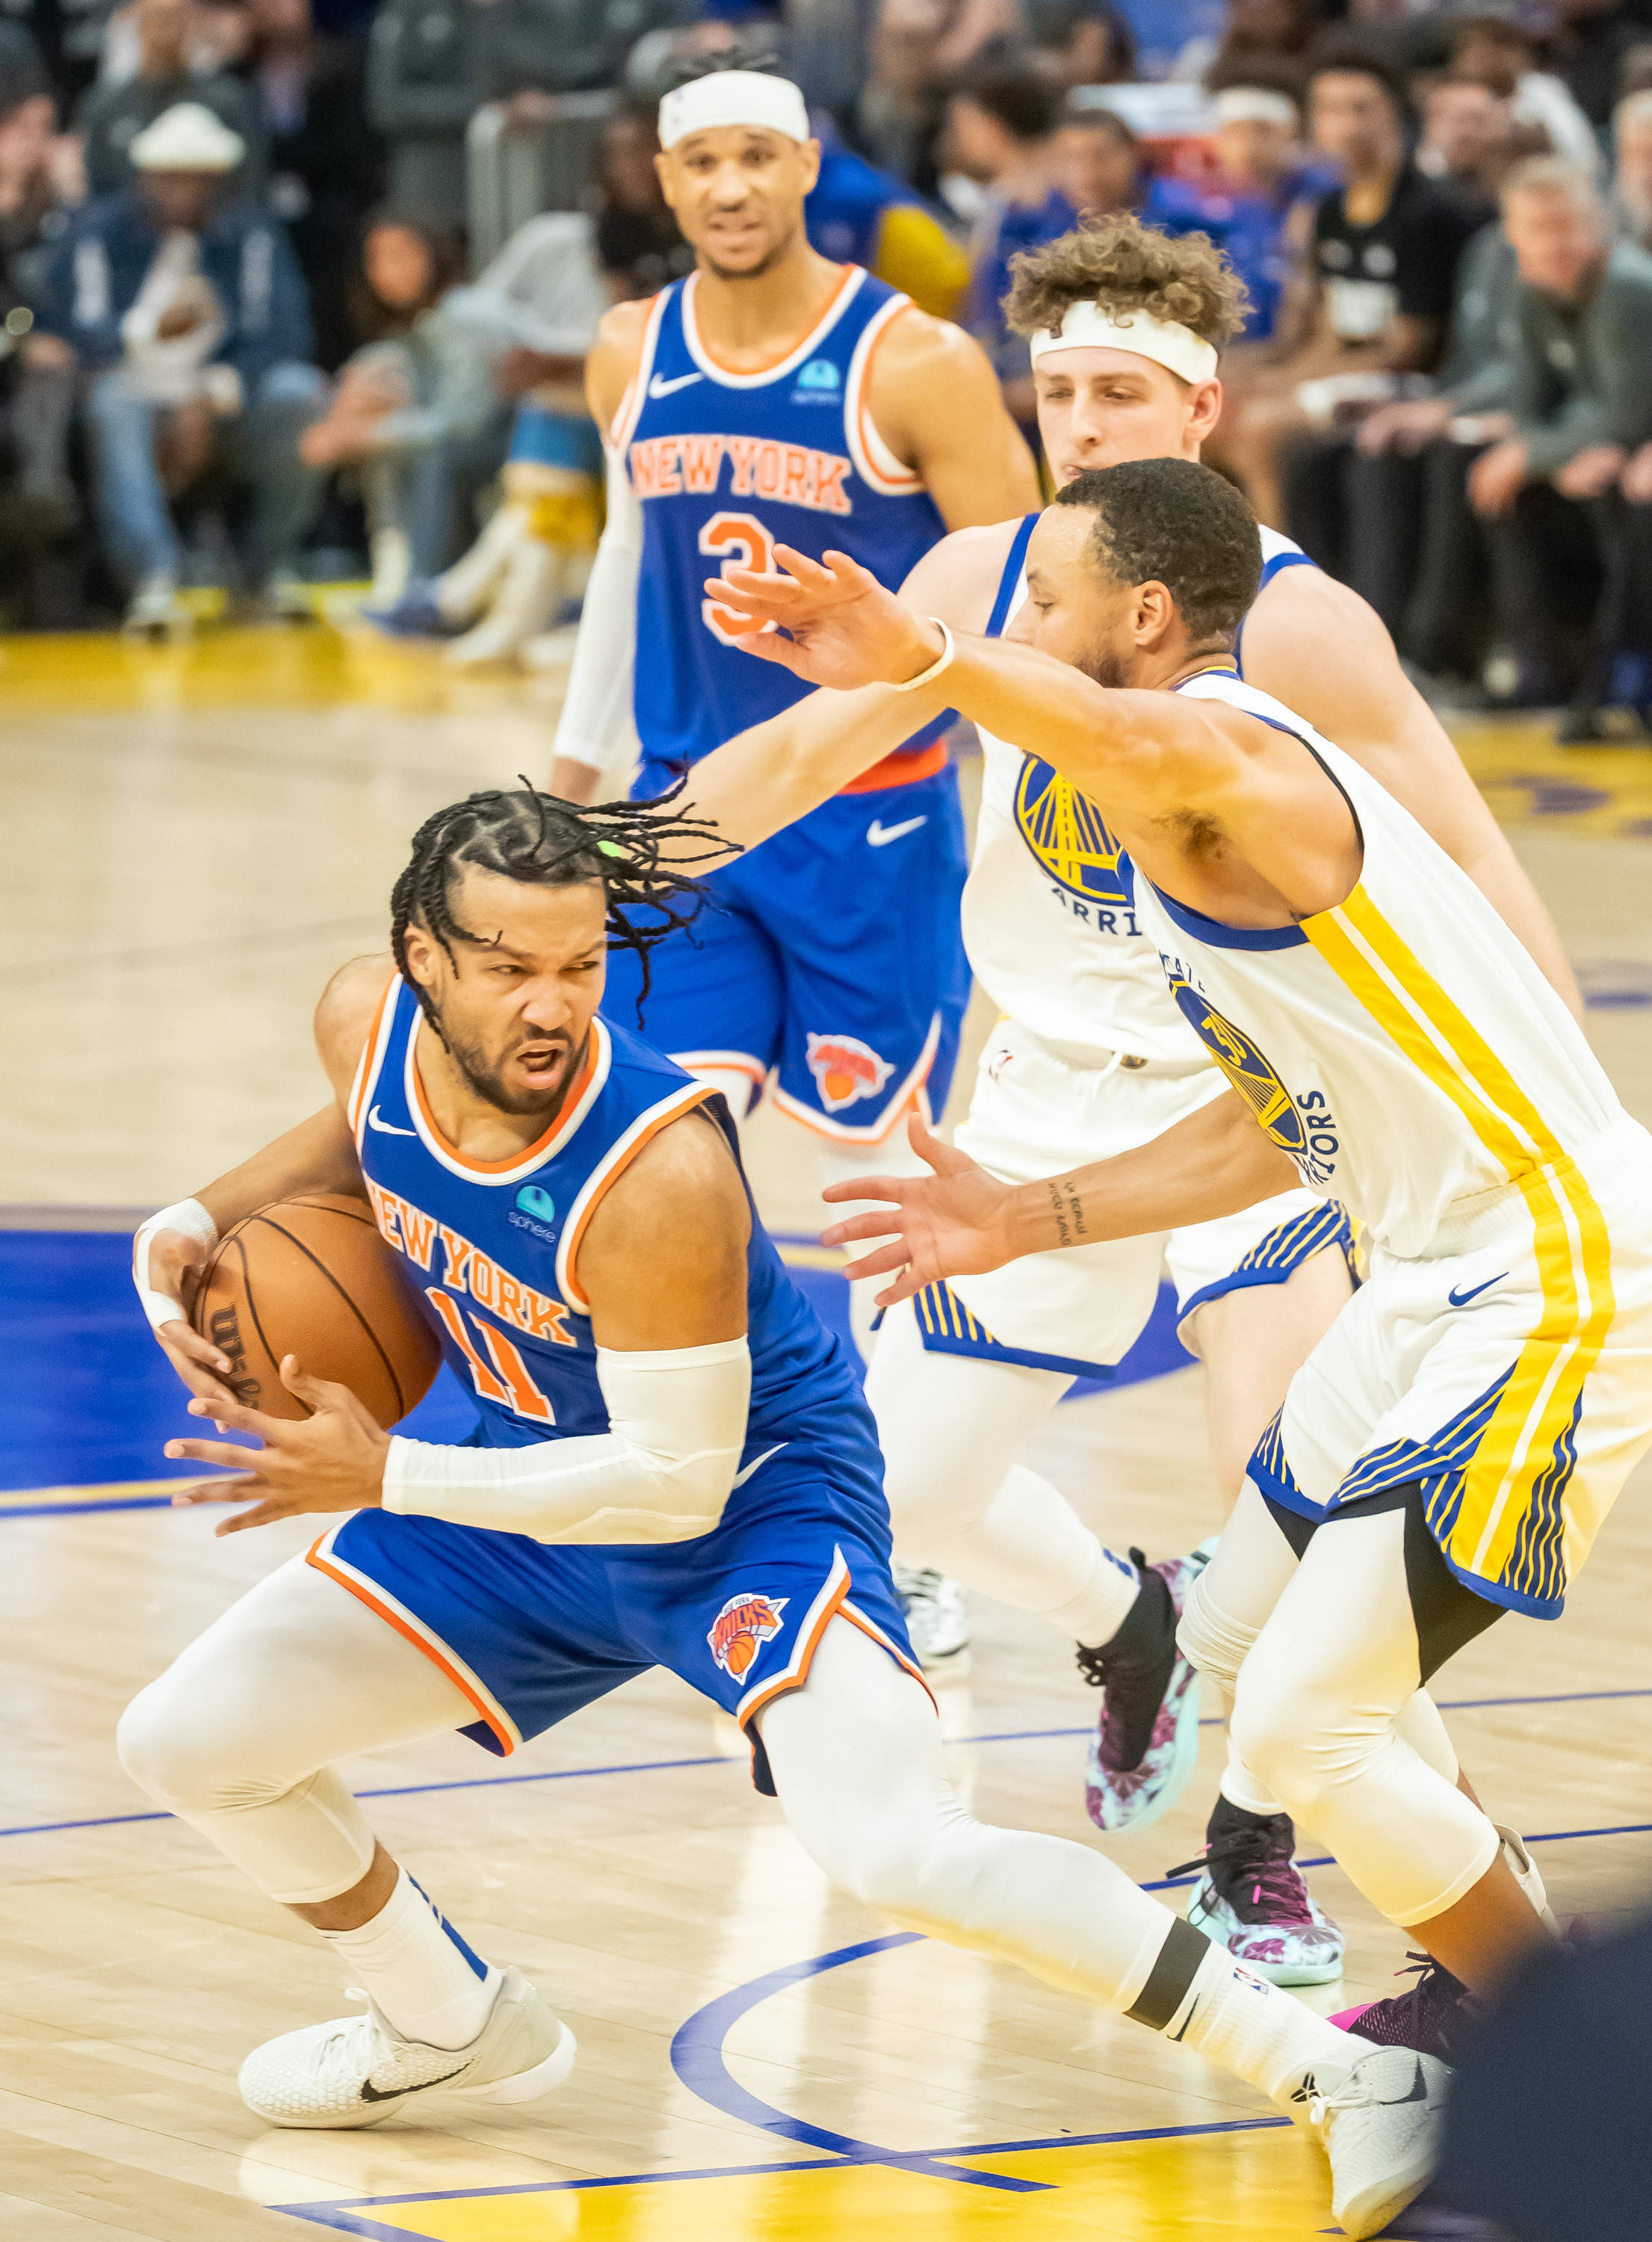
x,y
777,396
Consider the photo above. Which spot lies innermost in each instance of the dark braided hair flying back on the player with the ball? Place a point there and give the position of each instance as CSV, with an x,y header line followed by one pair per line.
x,y
546,842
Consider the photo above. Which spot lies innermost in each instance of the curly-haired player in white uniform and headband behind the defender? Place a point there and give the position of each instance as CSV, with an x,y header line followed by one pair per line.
x,y
1093,1057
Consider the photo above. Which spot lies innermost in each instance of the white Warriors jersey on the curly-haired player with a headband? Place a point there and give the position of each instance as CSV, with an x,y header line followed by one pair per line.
x,y
1050,925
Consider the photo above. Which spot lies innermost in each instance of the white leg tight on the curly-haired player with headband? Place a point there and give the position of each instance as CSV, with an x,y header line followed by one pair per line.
x,y
952,1429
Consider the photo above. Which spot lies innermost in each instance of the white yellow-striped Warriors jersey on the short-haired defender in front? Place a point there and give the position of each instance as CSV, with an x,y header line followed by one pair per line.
x,y
1402,1048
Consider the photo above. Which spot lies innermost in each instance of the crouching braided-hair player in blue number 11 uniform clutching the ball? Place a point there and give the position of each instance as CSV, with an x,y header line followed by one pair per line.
x,y
671,1467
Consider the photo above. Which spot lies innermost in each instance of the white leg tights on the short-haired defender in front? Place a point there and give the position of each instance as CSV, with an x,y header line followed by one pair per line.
x,y
1324,1671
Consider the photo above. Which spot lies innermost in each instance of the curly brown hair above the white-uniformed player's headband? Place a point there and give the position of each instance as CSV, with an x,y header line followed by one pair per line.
x,y
1129,268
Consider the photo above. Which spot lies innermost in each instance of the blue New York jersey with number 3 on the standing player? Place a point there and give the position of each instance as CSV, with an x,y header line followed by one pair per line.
x,y
732,465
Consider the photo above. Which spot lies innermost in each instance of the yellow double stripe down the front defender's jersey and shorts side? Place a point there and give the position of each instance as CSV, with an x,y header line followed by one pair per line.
x,y
1572,1245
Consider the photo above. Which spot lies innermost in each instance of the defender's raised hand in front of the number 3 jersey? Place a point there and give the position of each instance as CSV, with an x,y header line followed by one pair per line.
x,y
846,627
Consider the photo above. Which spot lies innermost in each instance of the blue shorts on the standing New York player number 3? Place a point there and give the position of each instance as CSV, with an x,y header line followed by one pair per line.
x,y
833,963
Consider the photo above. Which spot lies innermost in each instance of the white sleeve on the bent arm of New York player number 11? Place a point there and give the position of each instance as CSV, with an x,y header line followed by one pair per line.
x,y
662,1472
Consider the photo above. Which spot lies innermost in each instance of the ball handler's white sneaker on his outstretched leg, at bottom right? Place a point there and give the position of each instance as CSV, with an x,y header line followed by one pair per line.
x,y
1382,2133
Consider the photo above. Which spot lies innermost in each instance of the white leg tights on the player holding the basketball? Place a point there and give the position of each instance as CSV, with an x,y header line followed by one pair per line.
x,y
239,1734
